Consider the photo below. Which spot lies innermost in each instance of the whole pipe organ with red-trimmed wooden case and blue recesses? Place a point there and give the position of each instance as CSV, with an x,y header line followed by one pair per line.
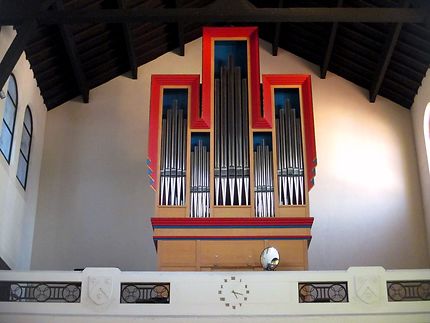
x,y
231,171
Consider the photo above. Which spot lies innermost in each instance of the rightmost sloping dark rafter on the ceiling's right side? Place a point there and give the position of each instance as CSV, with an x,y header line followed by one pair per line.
x,y
385,59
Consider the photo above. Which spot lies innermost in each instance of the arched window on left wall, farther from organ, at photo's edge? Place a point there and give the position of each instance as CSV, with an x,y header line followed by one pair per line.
x,y
8,124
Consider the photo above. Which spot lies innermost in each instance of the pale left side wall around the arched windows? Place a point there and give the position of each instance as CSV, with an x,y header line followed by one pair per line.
x,y
18,207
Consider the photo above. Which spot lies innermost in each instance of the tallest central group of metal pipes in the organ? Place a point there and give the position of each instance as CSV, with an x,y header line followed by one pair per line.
x,y
231,132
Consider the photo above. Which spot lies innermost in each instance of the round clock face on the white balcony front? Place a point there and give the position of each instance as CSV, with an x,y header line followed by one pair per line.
x,y
233,292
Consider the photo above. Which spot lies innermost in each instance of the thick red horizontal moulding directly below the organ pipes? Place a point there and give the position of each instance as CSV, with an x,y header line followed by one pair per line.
x,y
252,222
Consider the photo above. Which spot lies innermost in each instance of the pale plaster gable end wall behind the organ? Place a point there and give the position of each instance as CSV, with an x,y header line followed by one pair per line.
x,y
95,202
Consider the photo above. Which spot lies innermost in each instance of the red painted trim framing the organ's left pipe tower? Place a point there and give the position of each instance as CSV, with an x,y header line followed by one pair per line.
x,y
157,82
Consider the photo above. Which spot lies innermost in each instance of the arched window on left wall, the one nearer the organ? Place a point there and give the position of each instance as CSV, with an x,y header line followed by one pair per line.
x,y
24,150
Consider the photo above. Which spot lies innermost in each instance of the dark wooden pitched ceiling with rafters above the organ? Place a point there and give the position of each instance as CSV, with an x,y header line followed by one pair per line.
x,y
68,60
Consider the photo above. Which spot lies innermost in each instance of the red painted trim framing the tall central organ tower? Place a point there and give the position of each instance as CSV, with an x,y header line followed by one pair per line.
x,y
220,33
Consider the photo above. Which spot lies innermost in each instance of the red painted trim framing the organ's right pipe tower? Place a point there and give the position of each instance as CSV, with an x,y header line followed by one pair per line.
x,y
304,81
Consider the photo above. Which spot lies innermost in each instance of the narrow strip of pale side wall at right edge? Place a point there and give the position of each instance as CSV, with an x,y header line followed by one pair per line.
x,y
422,99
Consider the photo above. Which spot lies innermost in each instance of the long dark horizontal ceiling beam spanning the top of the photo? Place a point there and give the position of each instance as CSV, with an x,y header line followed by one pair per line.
x,y
210,15
